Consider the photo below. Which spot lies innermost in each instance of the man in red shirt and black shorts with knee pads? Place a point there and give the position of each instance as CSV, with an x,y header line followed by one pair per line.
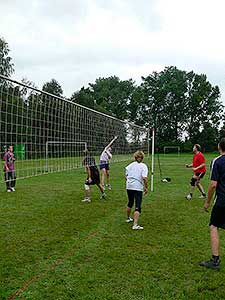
x,y
199,169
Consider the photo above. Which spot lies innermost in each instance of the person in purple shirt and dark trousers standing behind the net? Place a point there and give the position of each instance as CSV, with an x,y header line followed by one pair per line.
x,y
9,170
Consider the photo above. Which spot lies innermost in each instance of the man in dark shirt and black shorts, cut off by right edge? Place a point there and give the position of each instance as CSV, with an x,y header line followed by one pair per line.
x,y
217,219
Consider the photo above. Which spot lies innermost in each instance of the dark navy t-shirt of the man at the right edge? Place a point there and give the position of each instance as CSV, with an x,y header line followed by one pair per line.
x,y
218,174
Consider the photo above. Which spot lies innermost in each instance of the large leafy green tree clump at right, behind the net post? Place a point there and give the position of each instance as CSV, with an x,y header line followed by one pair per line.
x,y
176,102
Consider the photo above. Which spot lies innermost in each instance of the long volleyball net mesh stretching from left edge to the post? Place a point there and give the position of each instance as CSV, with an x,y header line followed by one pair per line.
x,y
49,134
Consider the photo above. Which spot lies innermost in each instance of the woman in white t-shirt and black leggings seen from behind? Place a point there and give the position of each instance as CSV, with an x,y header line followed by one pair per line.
x,y
136,183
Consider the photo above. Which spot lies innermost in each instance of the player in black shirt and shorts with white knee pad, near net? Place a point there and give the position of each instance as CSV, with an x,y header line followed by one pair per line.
x,y
93,176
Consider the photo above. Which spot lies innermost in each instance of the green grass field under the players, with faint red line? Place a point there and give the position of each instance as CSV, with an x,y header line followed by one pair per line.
x,y
53,246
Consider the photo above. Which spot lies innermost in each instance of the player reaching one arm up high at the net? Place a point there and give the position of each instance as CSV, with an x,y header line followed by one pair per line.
x,y
106,155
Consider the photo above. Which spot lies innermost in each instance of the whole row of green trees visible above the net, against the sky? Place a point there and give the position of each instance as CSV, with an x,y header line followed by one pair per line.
x,y
183,107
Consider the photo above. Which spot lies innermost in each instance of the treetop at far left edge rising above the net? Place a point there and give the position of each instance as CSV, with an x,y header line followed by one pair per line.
x,y
6,65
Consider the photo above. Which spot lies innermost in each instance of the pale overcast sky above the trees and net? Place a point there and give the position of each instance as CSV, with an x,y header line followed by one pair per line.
x,y
78,41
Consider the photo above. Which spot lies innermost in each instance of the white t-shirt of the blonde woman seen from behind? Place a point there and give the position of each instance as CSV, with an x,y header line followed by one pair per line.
x,y
134,174
